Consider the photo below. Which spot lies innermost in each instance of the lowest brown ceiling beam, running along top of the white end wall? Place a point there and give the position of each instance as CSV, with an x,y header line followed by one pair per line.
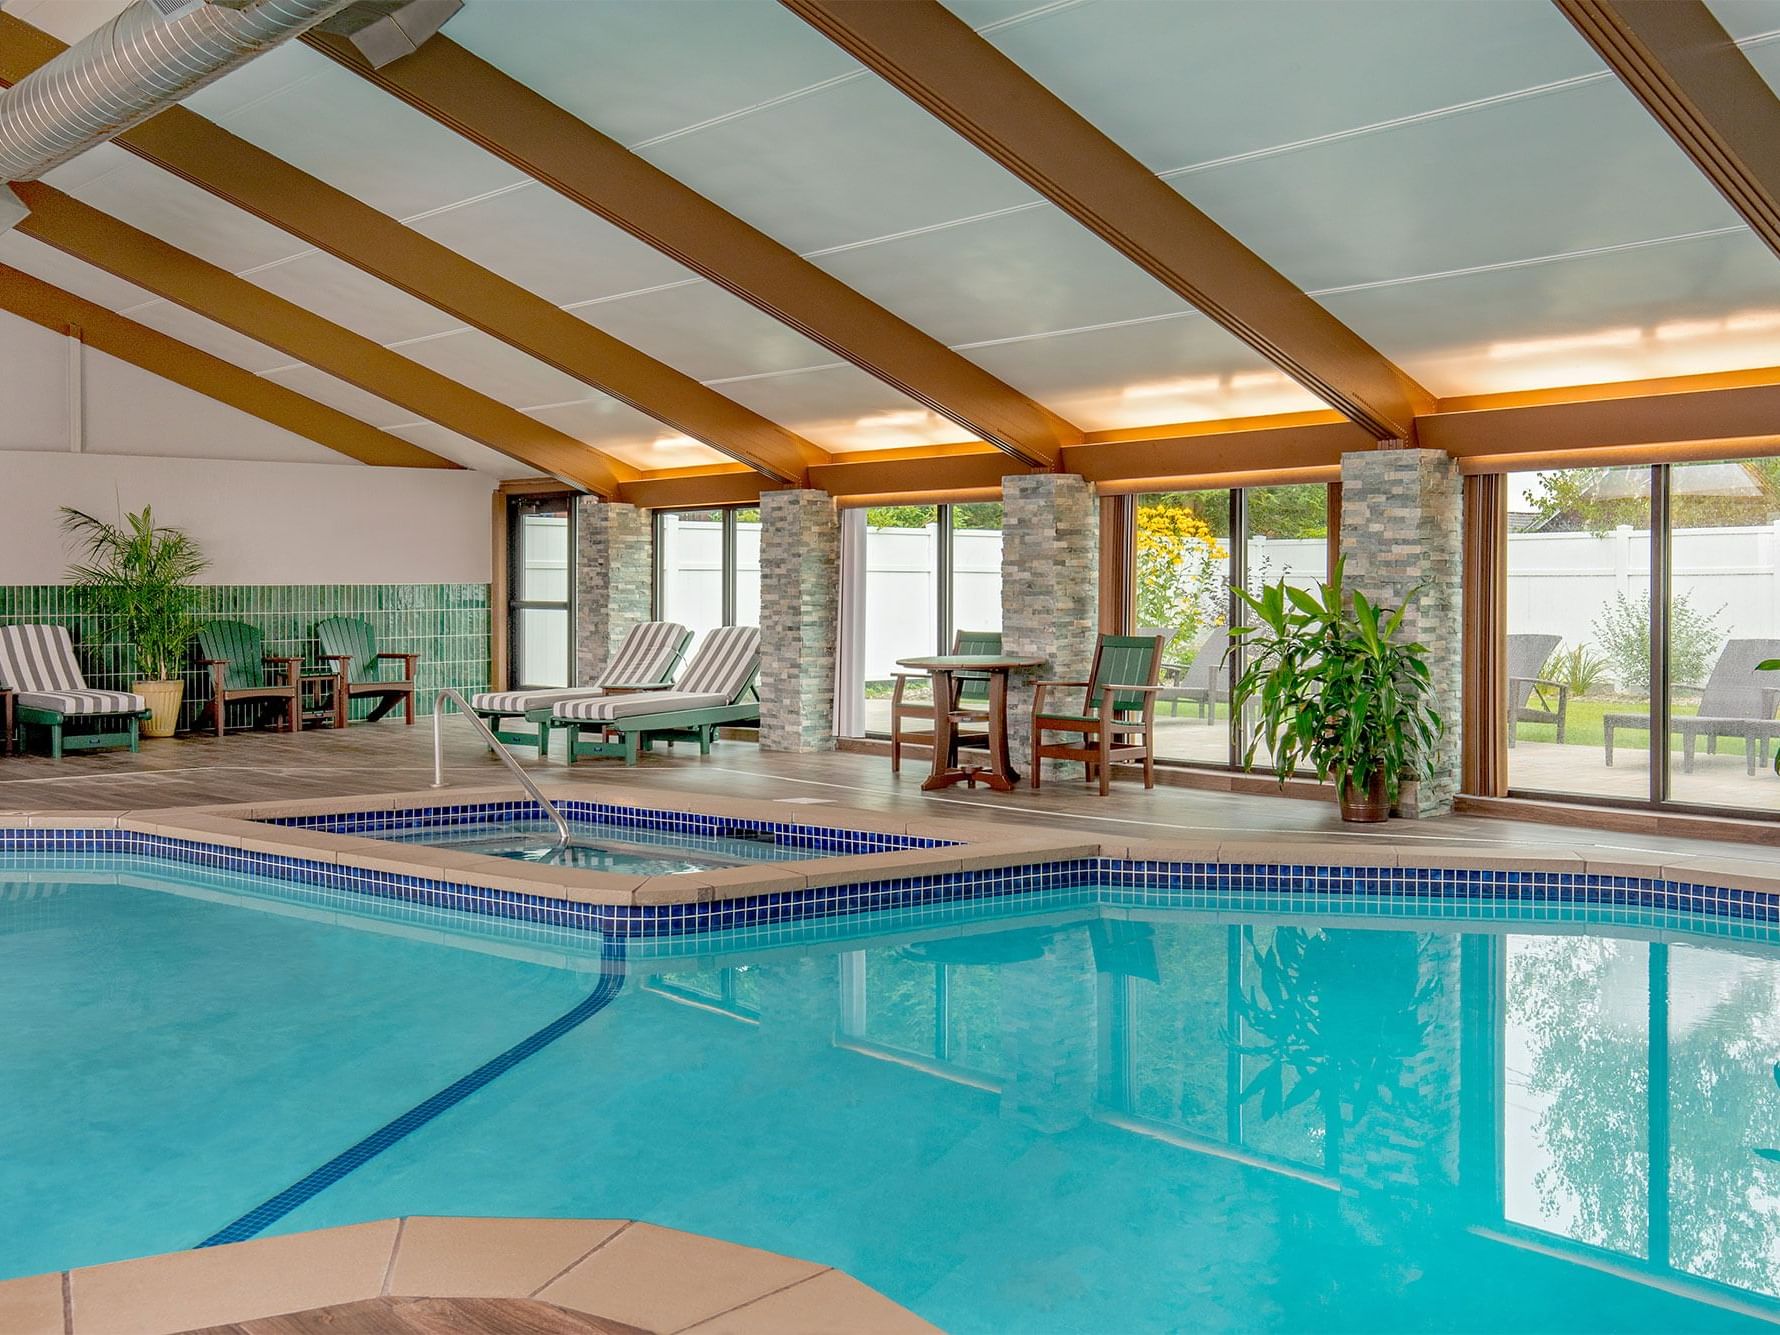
x,y
149,350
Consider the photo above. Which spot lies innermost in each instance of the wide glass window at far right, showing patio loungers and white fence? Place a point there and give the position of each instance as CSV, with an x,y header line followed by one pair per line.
x,y
1601,563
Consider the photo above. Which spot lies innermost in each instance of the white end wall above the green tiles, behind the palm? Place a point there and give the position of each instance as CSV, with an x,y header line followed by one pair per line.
x,y
268,506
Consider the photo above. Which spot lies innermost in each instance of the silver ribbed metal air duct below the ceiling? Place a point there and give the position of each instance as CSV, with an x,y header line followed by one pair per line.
x,y
133,69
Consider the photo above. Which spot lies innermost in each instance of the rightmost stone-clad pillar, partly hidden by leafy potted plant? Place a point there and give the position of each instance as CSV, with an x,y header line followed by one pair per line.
x,y
1402,526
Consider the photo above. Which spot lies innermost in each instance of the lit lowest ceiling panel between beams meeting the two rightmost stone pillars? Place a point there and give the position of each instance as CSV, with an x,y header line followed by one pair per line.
x,y
1183,369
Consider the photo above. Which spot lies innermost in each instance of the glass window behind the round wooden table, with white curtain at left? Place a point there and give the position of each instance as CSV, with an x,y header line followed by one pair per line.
x,y
928,572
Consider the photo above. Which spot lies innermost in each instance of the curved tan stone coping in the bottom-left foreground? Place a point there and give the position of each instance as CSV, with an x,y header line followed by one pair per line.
x,y
615,1270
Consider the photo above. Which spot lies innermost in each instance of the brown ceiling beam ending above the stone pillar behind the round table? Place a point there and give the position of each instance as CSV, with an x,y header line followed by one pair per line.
x,y
505,117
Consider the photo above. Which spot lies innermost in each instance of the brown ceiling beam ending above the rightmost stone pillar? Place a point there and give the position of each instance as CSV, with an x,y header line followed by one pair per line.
x,y
935,60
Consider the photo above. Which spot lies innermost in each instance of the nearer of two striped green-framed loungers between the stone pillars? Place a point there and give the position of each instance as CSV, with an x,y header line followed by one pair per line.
x,y
716,690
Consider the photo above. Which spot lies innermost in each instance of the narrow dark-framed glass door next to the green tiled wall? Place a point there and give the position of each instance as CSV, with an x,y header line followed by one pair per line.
x,y
538,595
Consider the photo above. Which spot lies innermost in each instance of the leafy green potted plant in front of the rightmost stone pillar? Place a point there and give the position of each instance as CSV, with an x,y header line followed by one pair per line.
x,y
1339,690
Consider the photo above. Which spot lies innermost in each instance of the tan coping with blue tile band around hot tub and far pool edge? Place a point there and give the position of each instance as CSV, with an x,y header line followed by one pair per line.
x,y
980,859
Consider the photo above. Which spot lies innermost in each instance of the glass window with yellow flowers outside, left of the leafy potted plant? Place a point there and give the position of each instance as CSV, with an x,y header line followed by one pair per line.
x,y
1188,549
